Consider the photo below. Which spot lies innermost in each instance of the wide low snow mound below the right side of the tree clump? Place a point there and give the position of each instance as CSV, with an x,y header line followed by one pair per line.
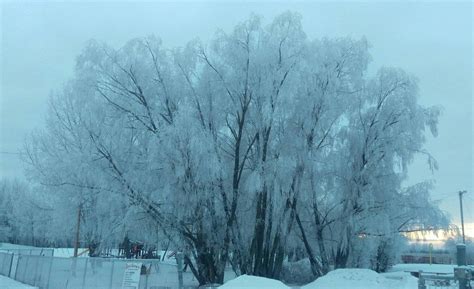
x,y
361,279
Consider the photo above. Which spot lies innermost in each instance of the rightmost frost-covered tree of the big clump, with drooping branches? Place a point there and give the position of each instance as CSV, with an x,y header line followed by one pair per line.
x,y
361,195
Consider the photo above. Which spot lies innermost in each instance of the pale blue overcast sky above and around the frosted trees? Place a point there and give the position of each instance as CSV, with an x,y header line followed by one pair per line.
x,y
430,40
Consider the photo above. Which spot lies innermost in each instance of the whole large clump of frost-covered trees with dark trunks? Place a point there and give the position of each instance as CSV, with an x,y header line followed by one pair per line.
x,y
241,149
